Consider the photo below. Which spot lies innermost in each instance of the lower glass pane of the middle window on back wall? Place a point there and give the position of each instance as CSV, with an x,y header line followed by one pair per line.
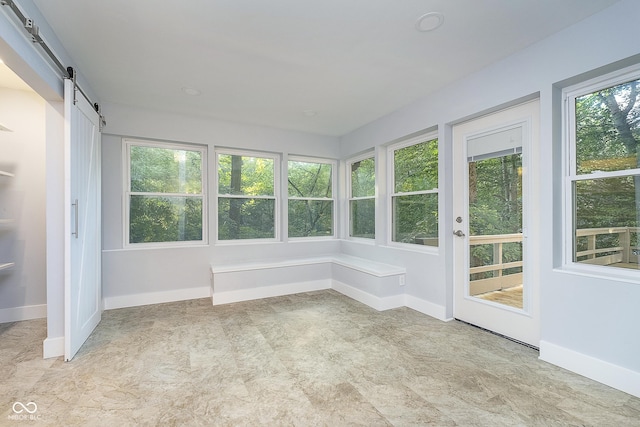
x,y
246,218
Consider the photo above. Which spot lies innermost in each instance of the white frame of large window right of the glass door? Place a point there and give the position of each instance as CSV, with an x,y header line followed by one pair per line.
x,y
570,175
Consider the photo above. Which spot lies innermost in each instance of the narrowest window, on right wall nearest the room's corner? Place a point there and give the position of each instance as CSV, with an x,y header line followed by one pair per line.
x,y
362,198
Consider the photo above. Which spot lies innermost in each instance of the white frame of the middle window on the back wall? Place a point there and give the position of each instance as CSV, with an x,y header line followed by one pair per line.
x,y
276,194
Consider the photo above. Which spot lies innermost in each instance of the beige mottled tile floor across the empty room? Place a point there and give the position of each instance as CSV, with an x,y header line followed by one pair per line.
x,y
313,359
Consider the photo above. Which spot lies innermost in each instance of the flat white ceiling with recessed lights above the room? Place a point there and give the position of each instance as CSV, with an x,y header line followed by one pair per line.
x,y
269,62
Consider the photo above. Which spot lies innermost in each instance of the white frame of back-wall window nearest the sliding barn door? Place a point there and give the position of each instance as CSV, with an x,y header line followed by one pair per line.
x,y
127,143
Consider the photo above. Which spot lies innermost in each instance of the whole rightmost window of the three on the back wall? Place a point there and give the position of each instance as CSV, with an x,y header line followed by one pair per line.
x,y
310,203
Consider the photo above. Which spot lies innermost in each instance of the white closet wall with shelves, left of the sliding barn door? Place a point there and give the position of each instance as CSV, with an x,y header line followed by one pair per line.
x,y
22,198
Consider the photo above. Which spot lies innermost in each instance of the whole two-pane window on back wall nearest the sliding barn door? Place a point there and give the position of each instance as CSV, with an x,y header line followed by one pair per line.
x,y
165,193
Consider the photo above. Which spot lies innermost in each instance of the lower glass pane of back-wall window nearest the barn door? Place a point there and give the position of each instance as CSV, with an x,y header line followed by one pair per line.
x,y
165,219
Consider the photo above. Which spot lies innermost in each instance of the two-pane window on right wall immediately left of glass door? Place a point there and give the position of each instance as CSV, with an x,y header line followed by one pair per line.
x,y
414,192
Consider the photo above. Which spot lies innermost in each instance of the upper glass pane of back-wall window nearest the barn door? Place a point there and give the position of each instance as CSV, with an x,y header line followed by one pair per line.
x,y
165,170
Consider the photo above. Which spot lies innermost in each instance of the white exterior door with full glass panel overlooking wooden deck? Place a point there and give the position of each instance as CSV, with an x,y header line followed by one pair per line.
x,y
492,285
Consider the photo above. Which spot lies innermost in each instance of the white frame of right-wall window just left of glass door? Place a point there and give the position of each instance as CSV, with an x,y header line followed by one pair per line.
x,y
391,190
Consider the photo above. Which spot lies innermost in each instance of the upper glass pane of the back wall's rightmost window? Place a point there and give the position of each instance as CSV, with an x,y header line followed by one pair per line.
x,y
309,179
